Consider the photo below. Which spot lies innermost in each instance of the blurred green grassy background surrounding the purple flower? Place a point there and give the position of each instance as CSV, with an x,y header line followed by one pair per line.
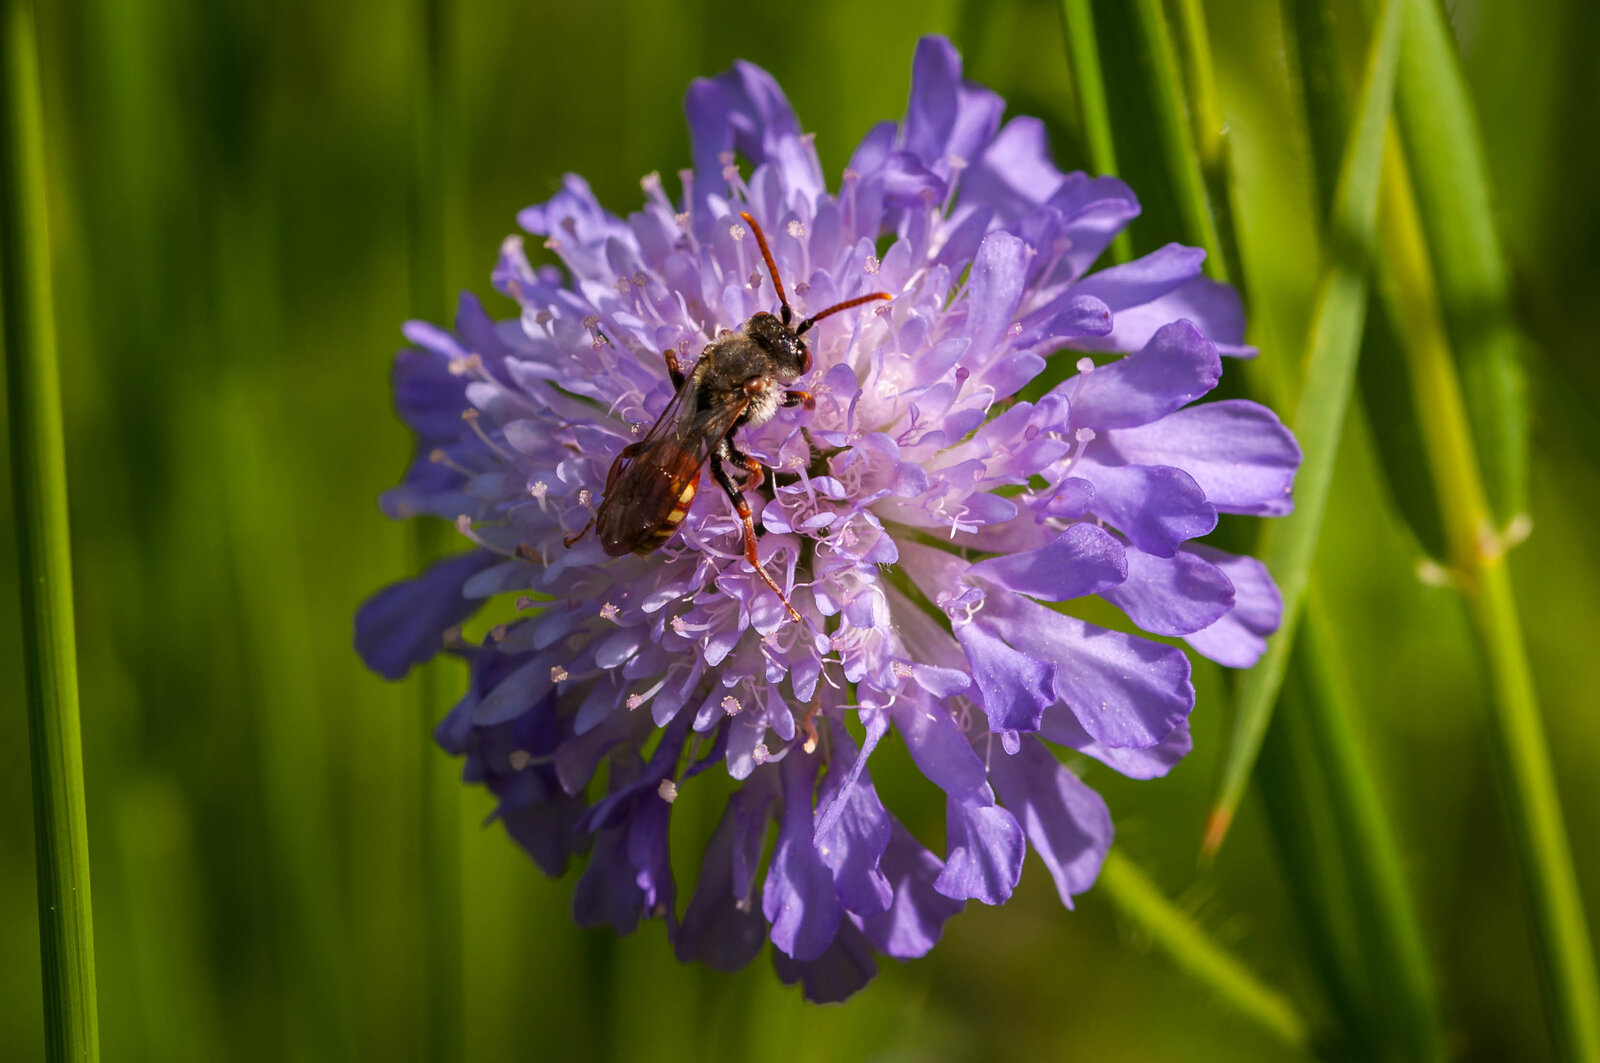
x,y
230,209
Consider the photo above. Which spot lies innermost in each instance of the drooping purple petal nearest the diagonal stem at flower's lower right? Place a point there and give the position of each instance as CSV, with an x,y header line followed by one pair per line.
x,y
1066,822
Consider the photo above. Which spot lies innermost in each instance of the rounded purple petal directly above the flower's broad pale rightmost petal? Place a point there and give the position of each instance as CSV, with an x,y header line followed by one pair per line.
x,y
1172,371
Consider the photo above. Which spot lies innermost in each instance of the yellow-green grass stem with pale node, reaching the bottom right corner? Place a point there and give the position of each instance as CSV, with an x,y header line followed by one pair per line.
x,y
1478,561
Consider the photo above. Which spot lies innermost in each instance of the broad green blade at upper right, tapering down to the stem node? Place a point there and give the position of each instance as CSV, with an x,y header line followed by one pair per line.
x,y
1452,188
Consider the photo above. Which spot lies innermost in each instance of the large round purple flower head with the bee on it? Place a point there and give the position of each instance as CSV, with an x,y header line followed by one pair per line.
x,y
924,519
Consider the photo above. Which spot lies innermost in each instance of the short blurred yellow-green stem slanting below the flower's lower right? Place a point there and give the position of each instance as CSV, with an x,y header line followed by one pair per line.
x,y
1193,950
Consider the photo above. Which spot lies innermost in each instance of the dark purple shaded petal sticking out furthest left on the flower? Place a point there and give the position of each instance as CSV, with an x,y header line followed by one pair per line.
x,y
406,624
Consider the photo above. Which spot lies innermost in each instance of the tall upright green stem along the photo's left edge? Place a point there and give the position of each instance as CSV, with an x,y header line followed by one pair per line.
x,y
66,928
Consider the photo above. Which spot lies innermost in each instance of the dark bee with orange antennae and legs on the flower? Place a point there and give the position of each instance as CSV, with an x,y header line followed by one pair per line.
x,y
740,379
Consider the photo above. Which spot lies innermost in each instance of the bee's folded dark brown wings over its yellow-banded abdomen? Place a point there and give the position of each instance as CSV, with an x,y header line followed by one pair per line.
x,y
649,486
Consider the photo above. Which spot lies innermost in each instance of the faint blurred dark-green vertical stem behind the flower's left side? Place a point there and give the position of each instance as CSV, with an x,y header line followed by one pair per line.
x,y
439,792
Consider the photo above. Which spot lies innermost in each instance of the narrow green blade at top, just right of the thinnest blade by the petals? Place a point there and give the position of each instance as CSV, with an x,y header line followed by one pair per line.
x,y
1178,142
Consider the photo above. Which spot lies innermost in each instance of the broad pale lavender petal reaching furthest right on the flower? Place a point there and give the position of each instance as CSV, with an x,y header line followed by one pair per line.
x,y
1239,452
